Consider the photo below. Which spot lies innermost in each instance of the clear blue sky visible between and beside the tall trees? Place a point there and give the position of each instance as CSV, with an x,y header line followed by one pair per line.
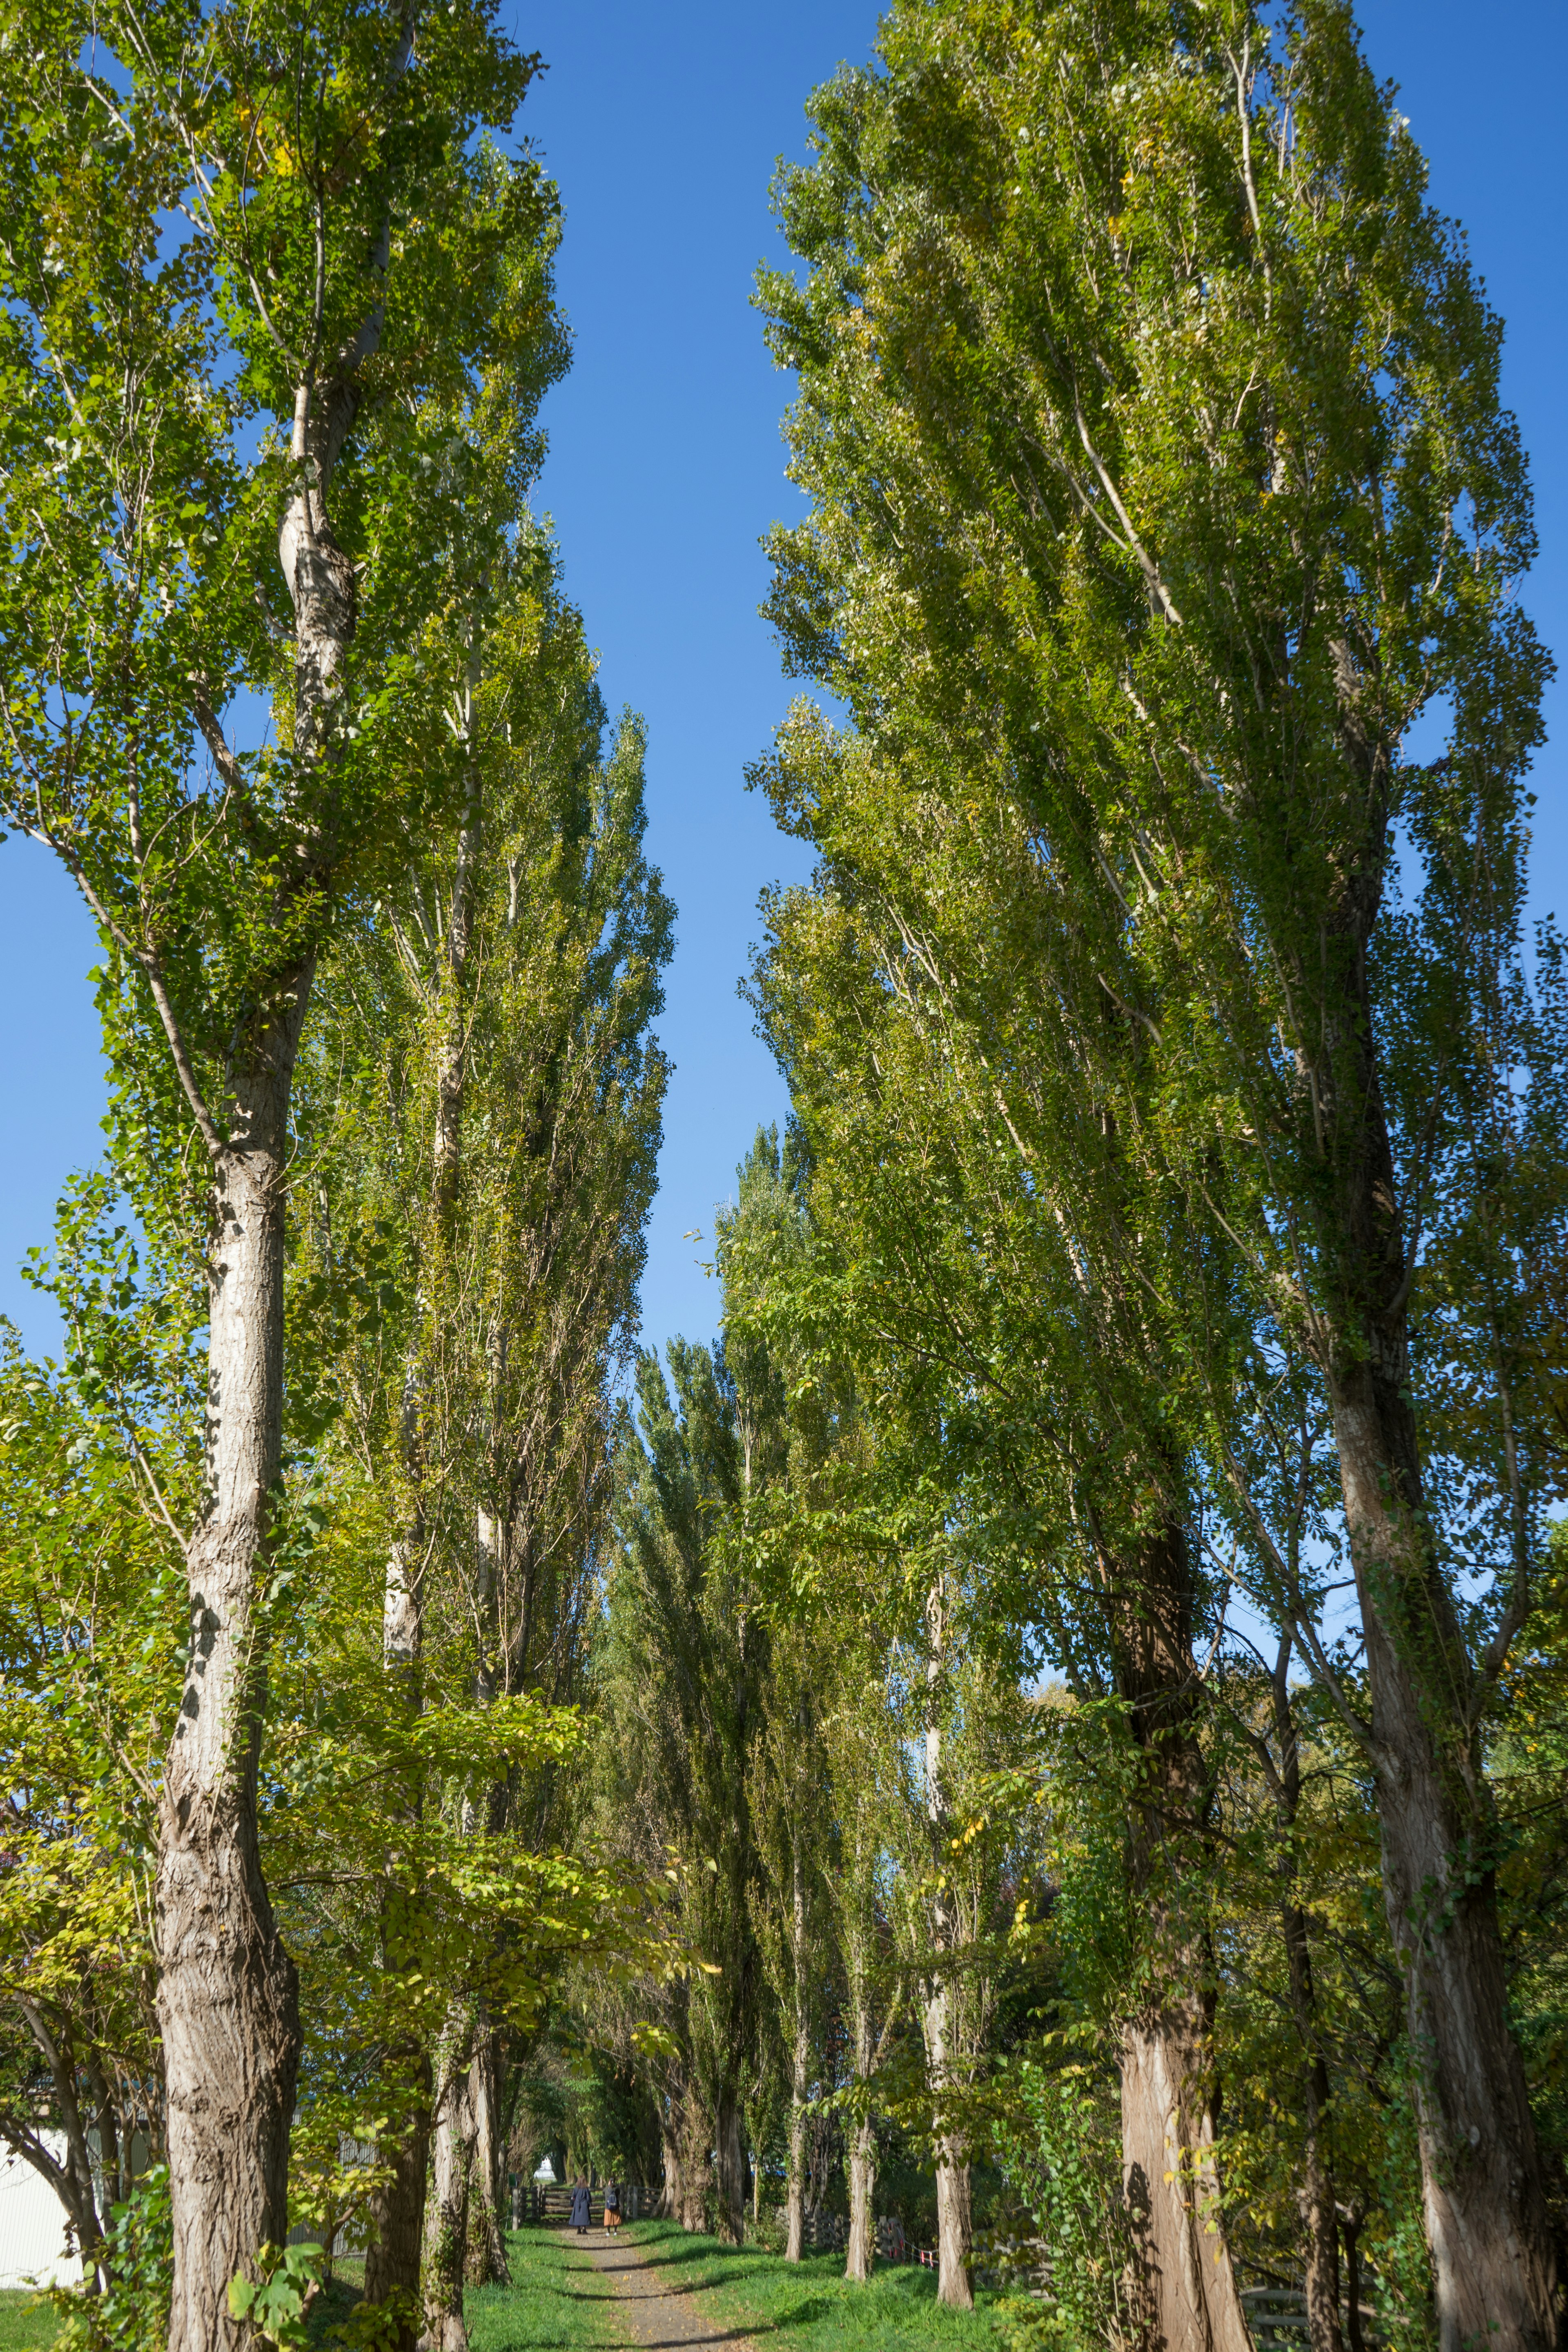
x,y
662,128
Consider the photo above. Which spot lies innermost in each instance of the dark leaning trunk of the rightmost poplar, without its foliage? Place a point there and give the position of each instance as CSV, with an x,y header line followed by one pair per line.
x,y
1489,2231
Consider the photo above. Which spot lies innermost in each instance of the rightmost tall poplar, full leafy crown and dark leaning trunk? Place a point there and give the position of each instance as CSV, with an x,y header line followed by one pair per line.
x,y
1160,479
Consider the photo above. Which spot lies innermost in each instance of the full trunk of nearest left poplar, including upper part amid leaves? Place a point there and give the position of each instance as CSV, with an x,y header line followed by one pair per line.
x,y
229,1996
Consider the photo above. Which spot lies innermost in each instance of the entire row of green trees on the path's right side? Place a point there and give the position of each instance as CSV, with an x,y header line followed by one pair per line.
x,y
1181,1295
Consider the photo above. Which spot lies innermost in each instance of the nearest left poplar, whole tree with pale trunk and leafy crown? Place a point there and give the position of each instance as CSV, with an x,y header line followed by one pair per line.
x,y
241,246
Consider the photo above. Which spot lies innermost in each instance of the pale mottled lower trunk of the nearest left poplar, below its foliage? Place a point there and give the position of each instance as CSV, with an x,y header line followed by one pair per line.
x,y
227,1993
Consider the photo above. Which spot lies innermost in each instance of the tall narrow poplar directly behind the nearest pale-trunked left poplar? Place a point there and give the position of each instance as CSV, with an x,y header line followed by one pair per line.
x,y
483,1100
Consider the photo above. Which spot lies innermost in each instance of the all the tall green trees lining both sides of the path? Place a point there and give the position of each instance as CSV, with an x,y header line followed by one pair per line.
x,y
1059,1713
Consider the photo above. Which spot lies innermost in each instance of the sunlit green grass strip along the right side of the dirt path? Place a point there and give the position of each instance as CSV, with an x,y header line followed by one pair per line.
x,y
810,2306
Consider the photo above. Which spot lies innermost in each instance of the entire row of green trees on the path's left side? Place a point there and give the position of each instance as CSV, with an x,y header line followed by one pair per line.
x,y
300,1537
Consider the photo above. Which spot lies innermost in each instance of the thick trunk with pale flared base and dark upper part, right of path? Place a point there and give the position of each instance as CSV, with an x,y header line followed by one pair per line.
x,y
1172,2174
